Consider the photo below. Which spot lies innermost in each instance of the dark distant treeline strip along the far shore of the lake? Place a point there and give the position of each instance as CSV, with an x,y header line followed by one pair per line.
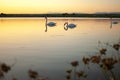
x,y
62,15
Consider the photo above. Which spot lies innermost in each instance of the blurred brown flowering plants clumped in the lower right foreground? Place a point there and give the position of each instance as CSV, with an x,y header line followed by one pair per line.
x,y
106,61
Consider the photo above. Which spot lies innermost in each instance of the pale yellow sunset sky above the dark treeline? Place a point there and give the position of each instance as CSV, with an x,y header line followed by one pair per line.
x,y
59,6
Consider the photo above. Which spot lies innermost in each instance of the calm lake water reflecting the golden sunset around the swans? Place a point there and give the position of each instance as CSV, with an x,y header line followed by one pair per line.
x,y
24,41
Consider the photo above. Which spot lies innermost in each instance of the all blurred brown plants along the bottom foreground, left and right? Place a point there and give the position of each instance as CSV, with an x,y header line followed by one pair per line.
x,y
107,62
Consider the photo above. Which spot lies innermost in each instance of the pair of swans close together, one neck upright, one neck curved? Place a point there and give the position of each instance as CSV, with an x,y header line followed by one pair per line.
x,y
66,25
